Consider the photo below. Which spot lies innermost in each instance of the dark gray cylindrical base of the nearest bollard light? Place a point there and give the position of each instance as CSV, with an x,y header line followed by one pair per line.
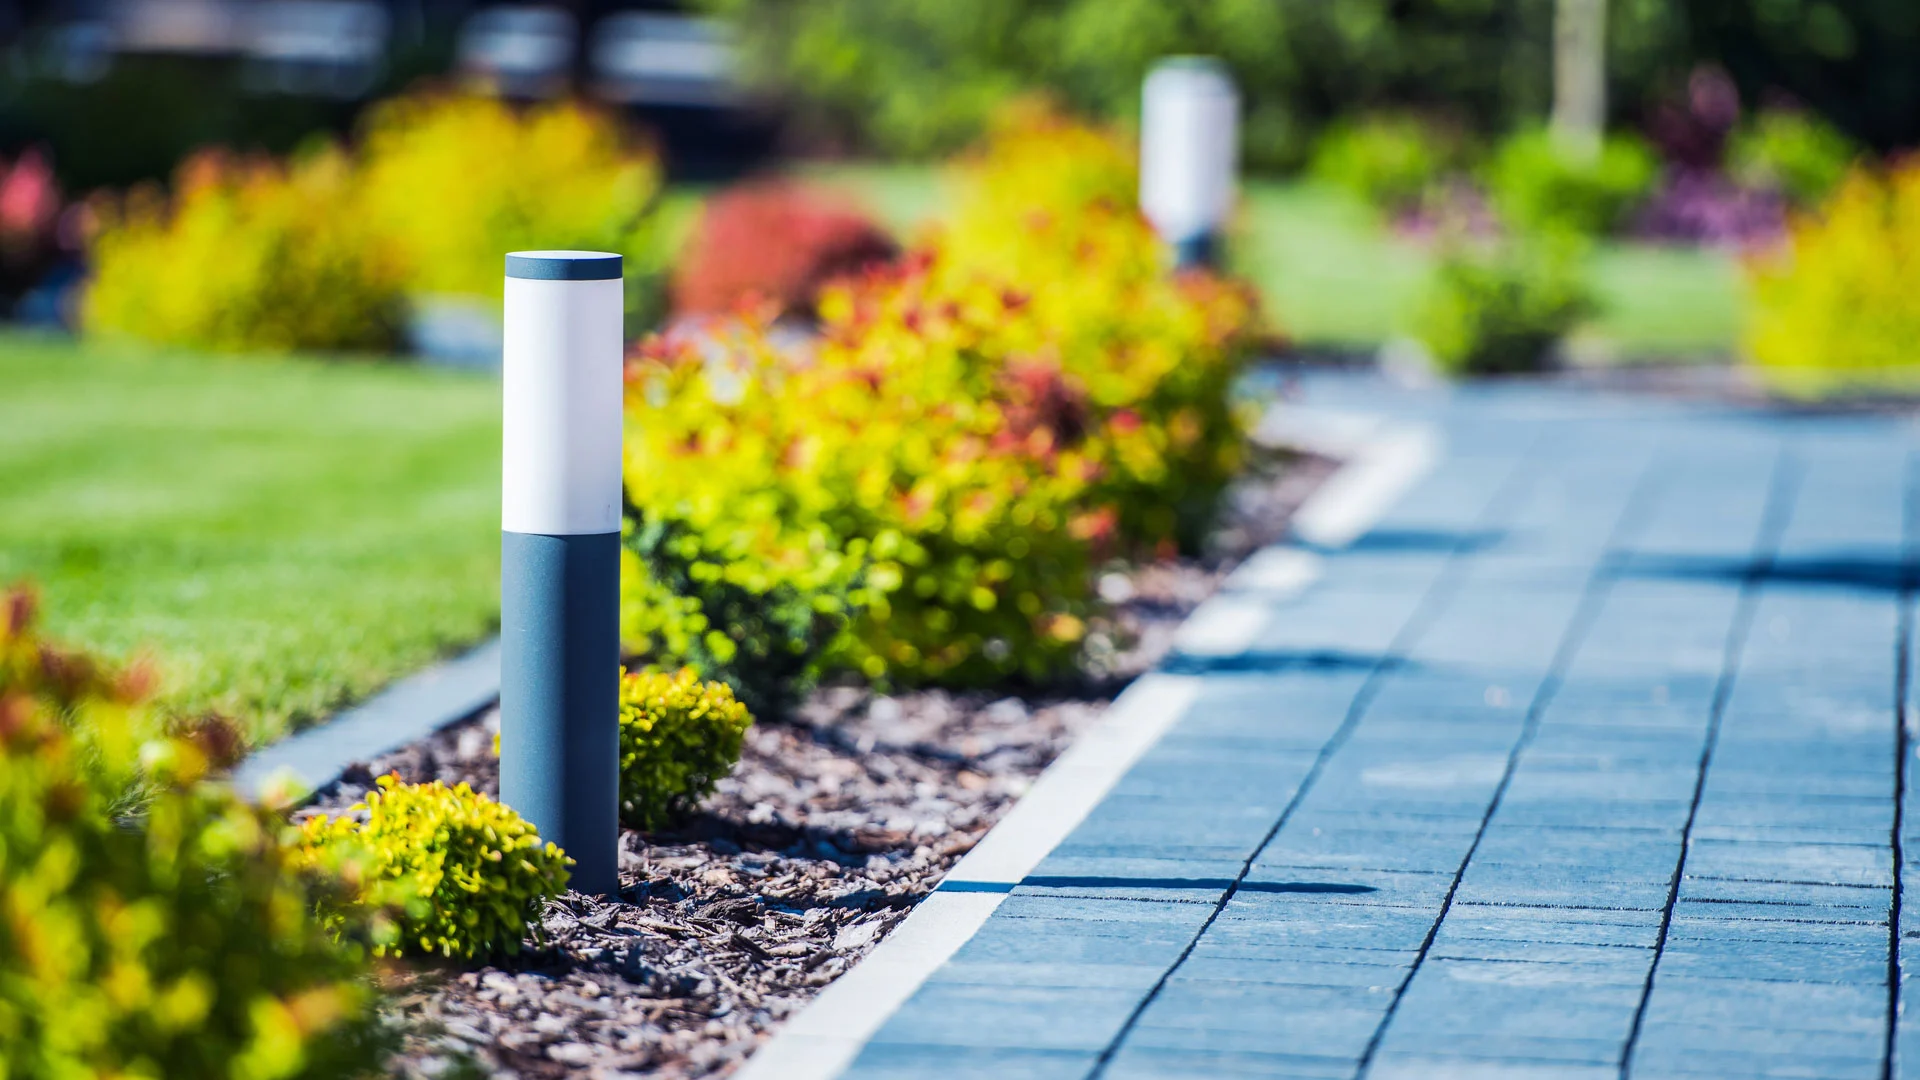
x,y
560,695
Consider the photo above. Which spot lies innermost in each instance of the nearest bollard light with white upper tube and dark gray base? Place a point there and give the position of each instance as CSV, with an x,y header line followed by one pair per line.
x,y
560,581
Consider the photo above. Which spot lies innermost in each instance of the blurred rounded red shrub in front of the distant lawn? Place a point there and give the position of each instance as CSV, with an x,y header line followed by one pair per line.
x,y
775,243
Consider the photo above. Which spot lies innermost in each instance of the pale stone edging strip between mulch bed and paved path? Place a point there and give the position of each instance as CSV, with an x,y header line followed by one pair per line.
x,y
1381,462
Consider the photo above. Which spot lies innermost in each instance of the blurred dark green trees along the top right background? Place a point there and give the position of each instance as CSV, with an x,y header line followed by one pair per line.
x,y
921,76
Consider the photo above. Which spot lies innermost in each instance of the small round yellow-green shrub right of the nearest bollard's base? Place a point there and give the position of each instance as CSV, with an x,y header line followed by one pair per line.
x,y
679,737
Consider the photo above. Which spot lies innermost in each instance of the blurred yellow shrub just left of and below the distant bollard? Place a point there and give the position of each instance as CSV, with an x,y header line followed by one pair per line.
x,y
1049,216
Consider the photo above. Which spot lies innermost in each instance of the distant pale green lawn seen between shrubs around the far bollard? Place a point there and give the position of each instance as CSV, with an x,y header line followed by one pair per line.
x,y
1332,276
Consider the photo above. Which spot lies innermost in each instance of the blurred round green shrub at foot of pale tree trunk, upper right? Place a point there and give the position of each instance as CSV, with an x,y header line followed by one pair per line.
x,y
1543,187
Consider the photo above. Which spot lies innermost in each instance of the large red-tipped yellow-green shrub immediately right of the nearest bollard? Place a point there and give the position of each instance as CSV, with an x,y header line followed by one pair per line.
x,y
888,456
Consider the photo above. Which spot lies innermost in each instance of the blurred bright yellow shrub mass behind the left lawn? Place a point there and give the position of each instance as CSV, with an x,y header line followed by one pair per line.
x,y
324,253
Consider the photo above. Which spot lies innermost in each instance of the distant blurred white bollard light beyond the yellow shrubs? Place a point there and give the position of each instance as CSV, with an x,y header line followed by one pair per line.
x,y
1189,155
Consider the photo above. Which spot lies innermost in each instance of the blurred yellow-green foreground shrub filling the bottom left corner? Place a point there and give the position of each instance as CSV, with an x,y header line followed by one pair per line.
x,y
180,943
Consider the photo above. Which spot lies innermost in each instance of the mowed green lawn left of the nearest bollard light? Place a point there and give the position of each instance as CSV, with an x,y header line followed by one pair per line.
x,y
281,537
